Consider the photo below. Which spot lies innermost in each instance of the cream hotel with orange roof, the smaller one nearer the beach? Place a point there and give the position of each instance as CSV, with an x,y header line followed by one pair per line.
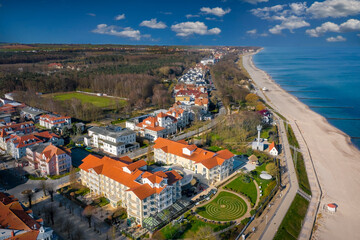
x,y
212,166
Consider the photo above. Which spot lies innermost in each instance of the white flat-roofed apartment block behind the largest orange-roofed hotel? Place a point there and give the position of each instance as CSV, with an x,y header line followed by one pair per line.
x,y
112,139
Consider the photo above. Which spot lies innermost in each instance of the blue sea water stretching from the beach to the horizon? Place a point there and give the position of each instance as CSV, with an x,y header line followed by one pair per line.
x,y
326,79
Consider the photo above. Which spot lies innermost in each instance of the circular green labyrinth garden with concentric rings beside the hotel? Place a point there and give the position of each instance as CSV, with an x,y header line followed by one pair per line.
x,y
225,207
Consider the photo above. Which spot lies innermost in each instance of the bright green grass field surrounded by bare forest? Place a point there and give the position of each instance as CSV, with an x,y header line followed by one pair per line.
x,y
102,102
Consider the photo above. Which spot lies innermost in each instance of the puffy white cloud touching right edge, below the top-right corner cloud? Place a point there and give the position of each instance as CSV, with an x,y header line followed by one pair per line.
x,y
351,25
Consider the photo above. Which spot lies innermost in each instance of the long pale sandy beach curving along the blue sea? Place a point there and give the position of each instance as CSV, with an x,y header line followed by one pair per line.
x,y
336,160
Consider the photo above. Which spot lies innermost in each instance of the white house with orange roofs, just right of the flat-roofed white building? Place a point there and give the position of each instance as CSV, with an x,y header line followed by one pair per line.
x,y
161,125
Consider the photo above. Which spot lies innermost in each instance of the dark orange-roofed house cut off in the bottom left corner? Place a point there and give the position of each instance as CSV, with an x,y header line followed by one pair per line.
x,y
18,223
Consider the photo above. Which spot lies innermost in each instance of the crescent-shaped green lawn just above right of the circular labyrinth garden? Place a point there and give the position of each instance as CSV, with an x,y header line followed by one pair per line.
x,y
240,185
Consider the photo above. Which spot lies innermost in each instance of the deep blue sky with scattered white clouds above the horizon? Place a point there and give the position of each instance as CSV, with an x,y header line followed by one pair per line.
x,y
182,22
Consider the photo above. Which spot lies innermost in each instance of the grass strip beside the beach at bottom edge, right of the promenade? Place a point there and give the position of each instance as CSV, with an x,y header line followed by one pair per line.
x,y
290,227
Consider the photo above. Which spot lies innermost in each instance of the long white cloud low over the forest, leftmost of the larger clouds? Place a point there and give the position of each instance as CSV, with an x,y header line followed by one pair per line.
x,y
112,30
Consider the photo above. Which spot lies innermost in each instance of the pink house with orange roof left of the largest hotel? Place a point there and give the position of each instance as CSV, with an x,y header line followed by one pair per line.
x,y
49,159
